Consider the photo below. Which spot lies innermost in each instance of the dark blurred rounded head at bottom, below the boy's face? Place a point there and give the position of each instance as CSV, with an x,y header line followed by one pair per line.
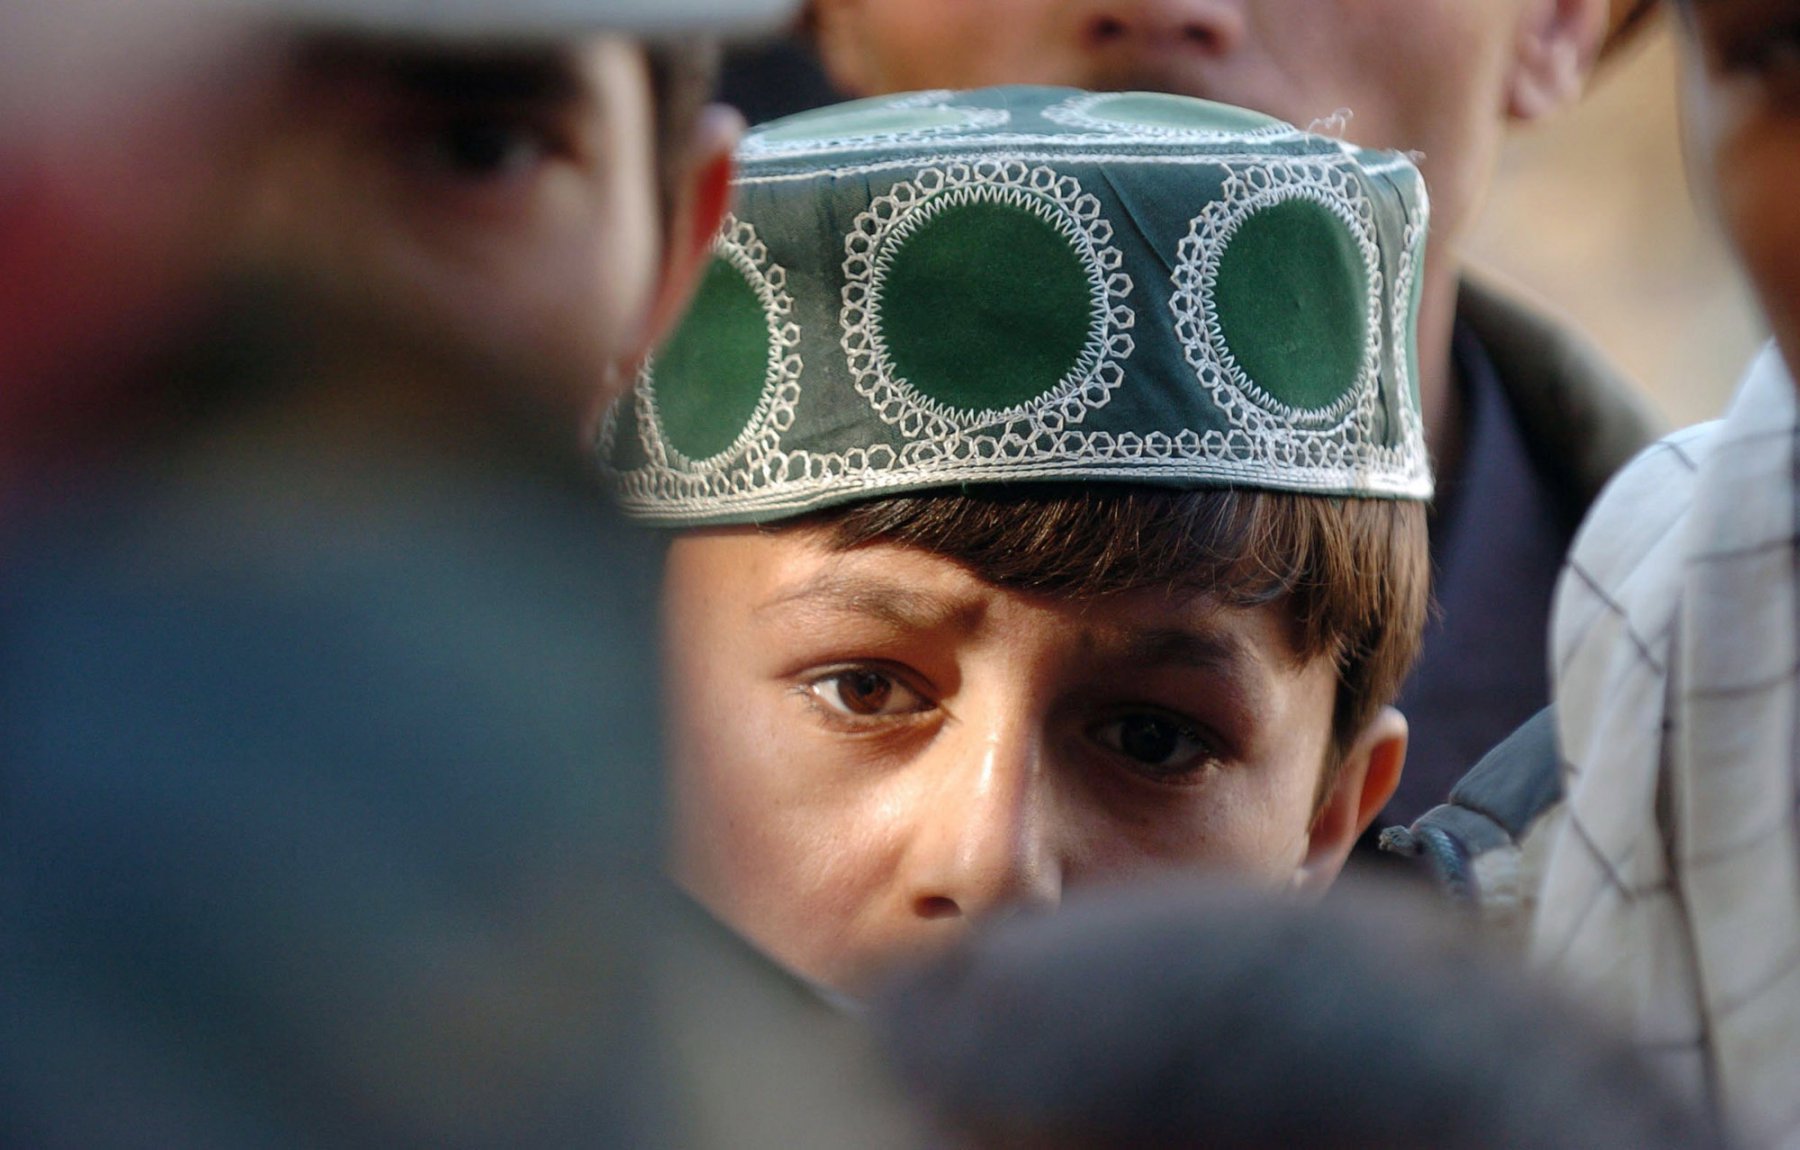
x,y
1187,1016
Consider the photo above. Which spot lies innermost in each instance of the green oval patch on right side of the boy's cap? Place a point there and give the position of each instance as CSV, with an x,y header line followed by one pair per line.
x,y
1291,298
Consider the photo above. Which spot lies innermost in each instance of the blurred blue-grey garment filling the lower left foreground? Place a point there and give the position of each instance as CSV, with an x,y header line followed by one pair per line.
x,y
330,811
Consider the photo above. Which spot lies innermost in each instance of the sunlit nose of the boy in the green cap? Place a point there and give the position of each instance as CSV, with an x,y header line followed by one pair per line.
x,y
985,834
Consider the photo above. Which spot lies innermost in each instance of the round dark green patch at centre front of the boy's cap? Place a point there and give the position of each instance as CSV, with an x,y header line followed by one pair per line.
x,y
985,307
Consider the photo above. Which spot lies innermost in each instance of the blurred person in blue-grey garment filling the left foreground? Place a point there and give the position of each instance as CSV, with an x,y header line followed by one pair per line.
x,y
327,688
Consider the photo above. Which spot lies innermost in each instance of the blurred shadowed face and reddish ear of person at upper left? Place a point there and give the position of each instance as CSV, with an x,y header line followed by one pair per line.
x,y
499,204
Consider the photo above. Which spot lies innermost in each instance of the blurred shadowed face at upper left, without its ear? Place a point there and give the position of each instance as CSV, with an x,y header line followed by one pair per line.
x,y
501,204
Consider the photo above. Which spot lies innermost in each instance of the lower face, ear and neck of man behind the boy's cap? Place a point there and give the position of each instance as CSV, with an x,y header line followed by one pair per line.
x,y
1435,76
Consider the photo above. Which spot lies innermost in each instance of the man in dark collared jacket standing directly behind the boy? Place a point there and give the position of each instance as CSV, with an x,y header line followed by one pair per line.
x,y
1525,420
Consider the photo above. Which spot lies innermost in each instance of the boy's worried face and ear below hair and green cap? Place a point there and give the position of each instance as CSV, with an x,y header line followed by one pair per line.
x,y
874,748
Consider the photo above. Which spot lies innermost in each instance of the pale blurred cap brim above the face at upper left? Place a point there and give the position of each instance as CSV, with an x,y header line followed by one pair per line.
x,y
537,19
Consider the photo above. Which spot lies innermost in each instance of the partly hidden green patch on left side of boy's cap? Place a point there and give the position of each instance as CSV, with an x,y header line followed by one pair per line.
x,y
710,377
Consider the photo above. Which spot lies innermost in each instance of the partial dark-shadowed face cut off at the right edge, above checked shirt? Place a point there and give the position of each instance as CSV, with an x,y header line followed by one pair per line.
x,y
1743,120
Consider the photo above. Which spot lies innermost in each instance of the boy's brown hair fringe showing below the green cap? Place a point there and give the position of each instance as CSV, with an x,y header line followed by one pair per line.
x,y
1353,573
